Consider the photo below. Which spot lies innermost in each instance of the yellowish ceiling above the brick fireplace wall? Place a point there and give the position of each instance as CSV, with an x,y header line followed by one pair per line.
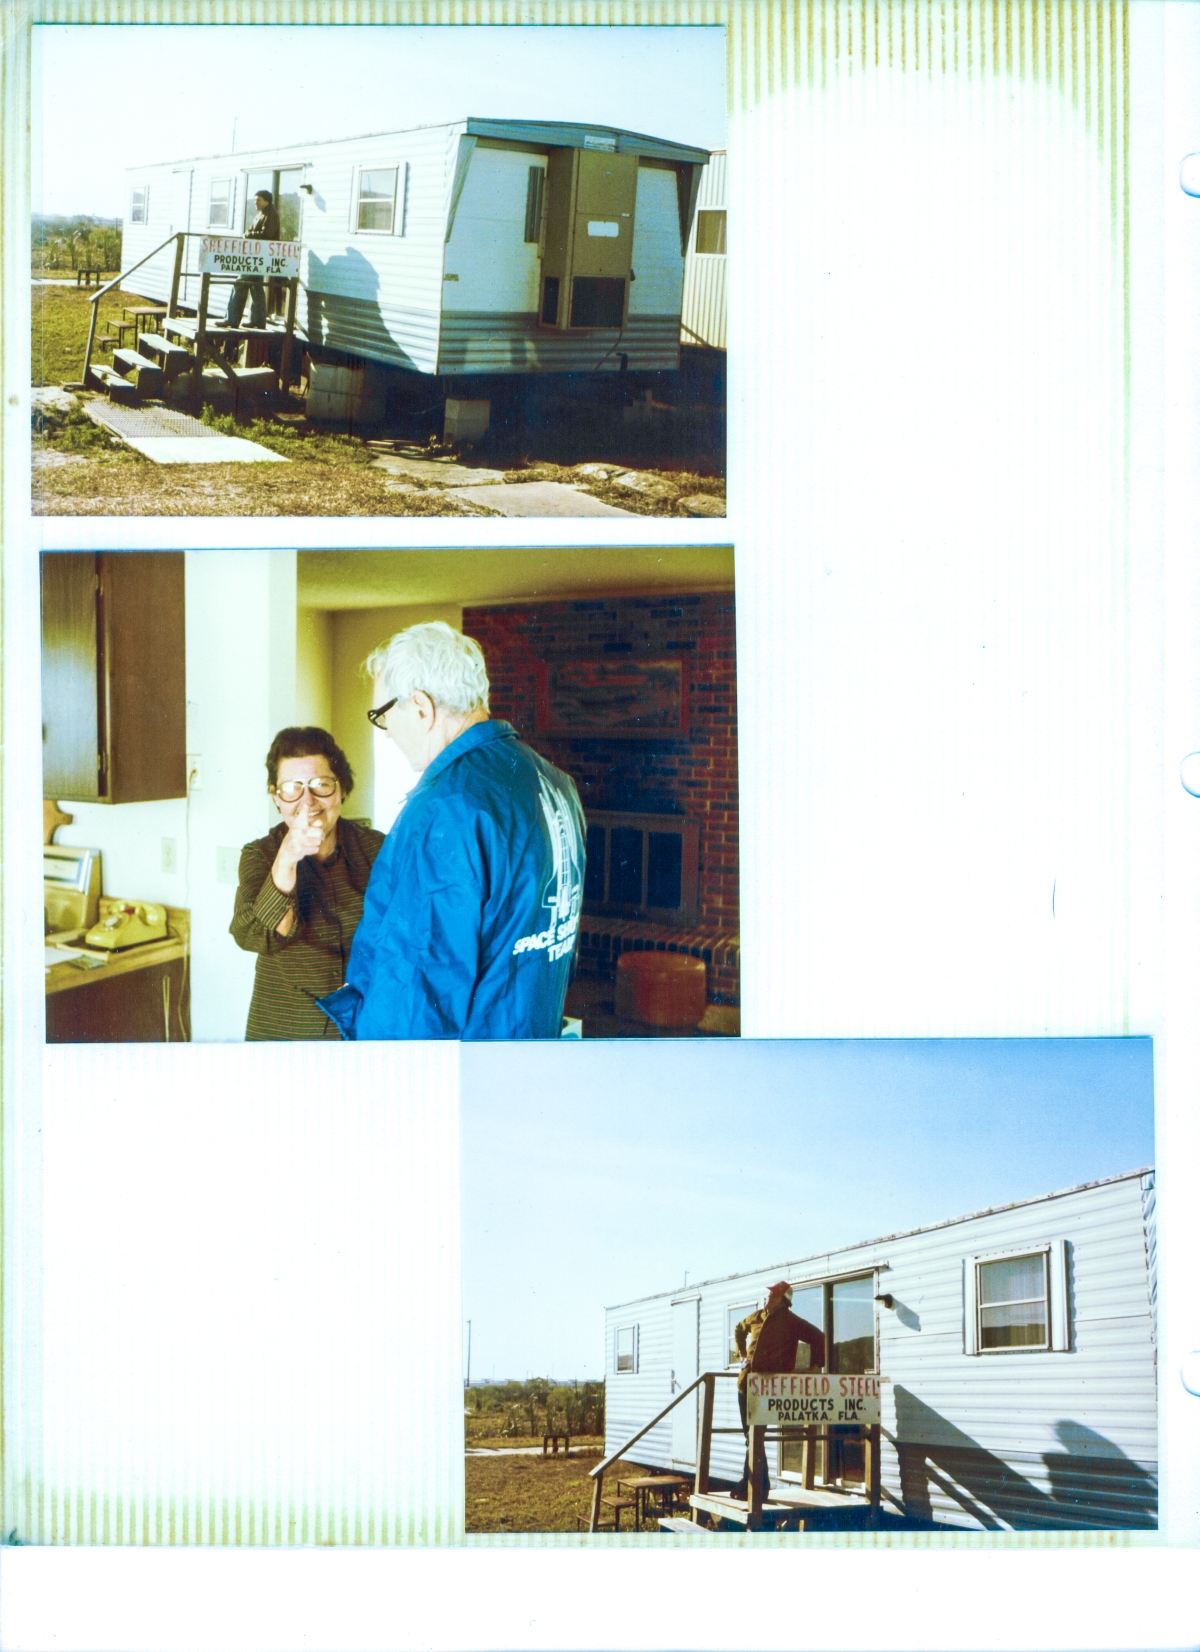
x,y
389,579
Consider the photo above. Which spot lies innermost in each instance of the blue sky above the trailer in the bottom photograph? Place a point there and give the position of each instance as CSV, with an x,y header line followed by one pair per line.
x,y
601,1172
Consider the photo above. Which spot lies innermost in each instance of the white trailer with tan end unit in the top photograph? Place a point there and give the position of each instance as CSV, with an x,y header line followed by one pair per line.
x,y
479,247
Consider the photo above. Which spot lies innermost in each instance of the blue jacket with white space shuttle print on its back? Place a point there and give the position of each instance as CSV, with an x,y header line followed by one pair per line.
x,y
472,911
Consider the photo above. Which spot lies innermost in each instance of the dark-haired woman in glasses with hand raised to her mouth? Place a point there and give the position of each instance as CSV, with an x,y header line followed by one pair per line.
x,y
300,890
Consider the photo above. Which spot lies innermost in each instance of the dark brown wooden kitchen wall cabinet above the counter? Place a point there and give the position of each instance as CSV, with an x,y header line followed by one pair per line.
x,y
113,676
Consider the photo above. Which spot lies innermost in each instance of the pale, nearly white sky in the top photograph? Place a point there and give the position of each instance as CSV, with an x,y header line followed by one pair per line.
x,y
288,85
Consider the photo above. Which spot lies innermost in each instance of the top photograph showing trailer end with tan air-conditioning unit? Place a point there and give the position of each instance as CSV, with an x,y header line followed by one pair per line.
x,y
439,272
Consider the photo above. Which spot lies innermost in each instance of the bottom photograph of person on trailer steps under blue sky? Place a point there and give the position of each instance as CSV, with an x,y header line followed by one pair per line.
x,y
809,1288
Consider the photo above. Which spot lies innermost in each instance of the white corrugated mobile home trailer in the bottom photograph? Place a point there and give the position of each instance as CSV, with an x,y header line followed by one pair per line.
x,y
1016,1351
